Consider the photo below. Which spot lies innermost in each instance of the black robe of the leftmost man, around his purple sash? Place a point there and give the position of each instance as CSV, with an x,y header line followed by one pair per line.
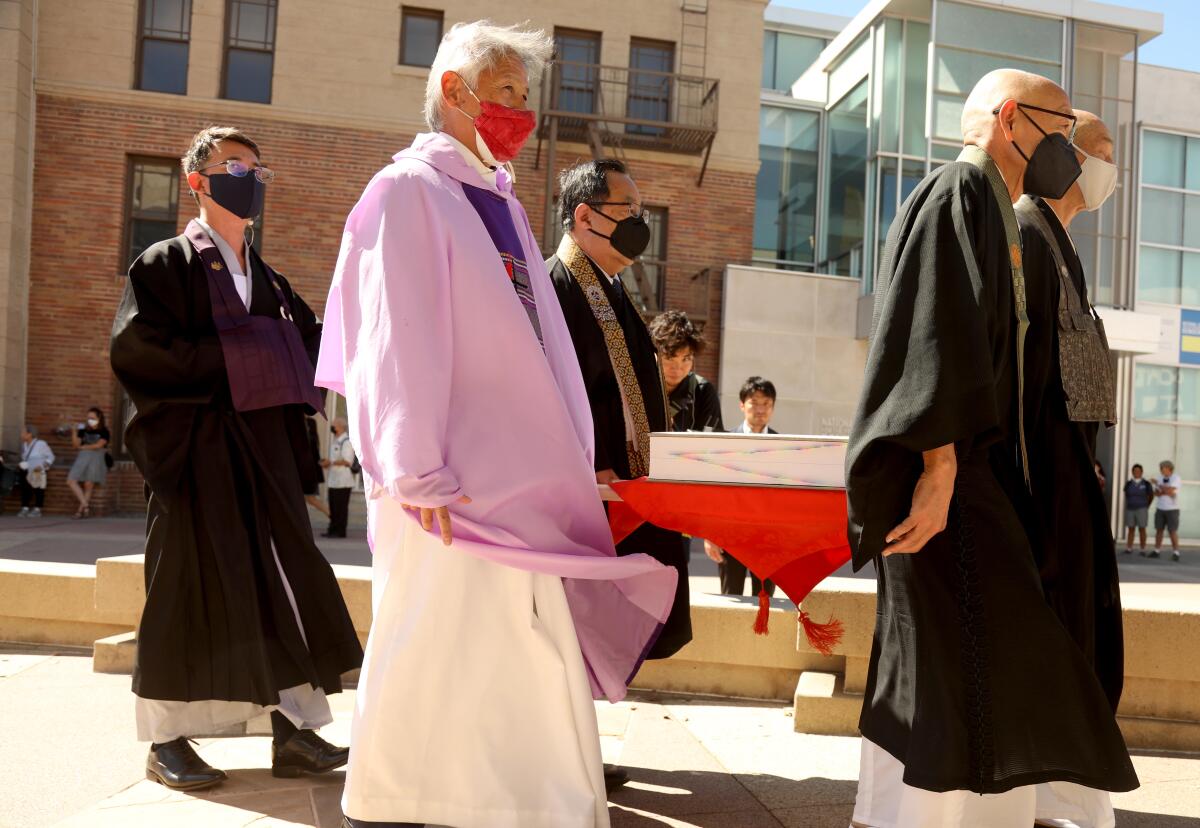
x,y
224,487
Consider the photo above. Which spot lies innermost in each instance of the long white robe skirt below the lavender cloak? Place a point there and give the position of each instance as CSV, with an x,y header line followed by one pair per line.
x,y
473,707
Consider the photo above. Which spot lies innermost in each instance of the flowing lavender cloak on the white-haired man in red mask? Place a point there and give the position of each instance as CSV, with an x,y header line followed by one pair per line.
x,y
449,393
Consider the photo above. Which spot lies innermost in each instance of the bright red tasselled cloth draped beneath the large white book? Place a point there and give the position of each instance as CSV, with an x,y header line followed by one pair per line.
x,y
795,537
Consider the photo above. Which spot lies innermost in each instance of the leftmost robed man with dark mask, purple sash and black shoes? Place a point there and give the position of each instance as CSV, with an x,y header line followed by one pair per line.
x,y
243,614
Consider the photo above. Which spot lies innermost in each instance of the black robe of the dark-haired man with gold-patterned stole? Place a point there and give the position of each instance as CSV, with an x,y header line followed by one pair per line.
x,y
609,421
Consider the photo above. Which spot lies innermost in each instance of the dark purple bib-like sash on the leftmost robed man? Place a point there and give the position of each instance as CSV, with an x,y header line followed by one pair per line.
x,y
266,358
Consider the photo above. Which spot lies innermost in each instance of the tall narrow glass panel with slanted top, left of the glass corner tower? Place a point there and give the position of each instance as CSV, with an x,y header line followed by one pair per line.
x,y
847,151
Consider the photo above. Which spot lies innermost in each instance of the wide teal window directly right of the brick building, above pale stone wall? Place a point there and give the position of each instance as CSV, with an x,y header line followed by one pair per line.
x,y
787,190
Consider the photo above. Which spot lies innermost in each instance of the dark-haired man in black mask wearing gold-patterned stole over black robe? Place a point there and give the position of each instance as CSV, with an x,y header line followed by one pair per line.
x,y
607,231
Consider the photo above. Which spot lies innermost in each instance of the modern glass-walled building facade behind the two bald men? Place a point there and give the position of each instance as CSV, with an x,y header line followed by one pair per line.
x,y
895,107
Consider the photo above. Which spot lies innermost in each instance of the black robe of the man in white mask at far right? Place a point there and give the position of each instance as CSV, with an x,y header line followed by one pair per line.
x,y
1070,527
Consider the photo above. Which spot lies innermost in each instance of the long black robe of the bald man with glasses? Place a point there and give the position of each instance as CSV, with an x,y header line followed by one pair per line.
x,y
974,683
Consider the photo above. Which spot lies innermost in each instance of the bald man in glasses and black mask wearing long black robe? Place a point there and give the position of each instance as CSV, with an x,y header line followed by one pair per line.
x,y
974,685
